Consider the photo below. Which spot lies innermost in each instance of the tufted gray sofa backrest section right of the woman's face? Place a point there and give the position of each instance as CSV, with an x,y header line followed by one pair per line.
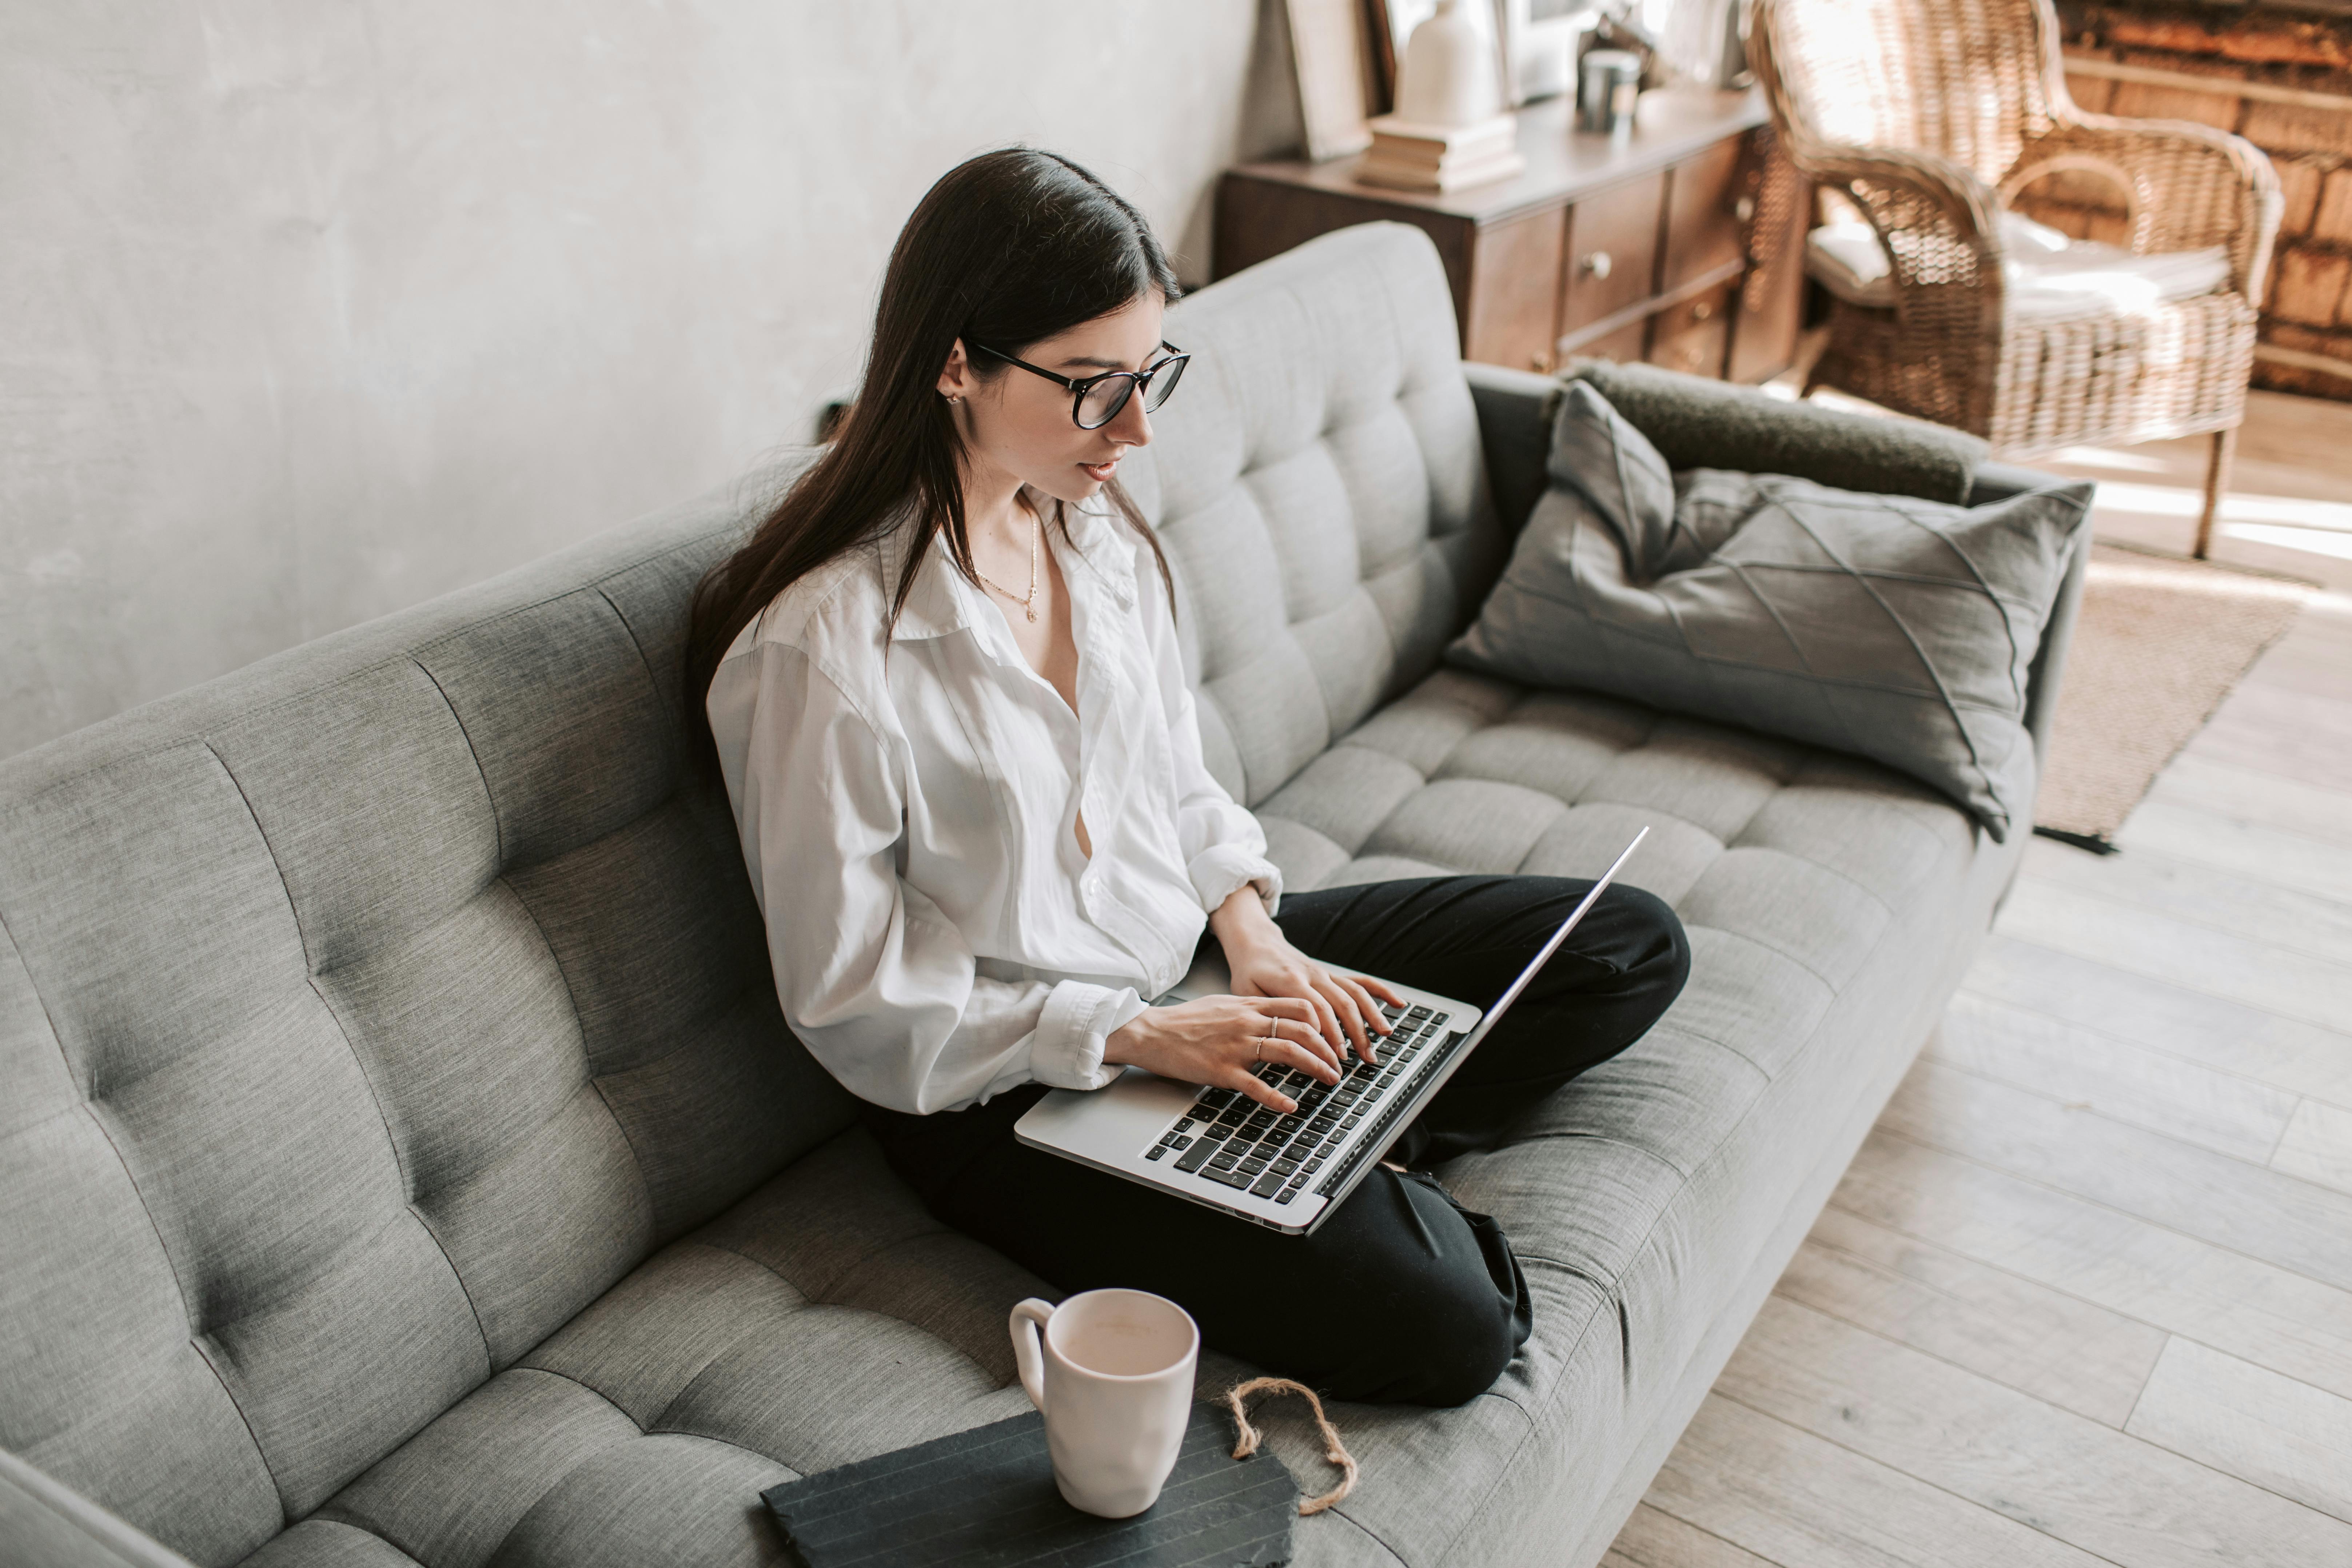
x,y
1321,495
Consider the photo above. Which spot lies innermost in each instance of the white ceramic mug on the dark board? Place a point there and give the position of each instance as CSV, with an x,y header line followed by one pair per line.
x,y
1114,1379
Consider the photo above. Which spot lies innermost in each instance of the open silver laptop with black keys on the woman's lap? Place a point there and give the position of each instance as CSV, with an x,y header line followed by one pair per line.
x,y
1222,1148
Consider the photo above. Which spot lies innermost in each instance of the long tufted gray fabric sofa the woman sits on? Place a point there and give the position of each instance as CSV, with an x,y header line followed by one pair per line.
x,y
403,1158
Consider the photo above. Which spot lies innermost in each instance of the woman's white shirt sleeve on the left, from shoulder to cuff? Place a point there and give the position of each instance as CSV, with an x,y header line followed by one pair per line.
x,y
874,979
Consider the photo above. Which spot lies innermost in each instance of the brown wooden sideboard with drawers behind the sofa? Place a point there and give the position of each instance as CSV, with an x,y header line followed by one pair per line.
x,y
1678,243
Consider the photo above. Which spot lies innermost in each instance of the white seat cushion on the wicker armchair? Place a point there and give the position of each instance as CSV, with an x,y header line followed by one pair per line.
x,y
2050,276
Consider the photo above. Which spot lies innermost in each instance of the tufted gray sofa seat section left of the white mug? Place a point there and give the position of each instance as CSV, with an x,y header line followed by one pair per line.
x,y
822,1320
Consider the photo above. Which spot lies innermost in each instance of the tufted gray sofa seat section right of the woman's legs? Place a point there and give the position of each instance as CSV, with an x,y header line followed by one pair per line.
x,y
1819,894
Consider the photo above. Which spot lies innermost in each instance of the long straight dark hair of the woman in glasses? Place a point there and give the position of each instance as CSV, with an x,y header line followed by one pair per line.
x,y
1005,250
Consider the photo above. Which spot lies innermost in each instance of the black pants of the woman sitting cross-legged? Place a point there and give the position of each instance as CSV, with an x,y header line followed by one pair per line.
x,y
1401,1294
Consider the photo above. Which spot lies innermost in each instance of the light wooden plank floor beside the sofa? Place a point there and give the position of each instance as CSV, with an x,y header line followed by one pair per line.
x,y
2087,1292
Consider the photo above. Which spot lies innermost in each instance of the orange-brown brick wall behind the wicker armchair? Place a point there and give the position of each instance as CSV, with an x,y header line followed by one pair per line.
x,y
2301,51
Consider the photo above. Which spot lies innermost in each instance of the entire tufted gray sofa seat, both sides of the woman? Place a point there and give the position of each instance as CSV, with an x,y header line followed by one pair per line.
x,y
829,1318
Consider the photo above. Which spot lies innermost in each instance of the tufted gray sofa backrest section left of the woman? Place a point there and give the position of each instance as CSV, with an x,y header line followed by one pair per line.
x,y
363,1017
